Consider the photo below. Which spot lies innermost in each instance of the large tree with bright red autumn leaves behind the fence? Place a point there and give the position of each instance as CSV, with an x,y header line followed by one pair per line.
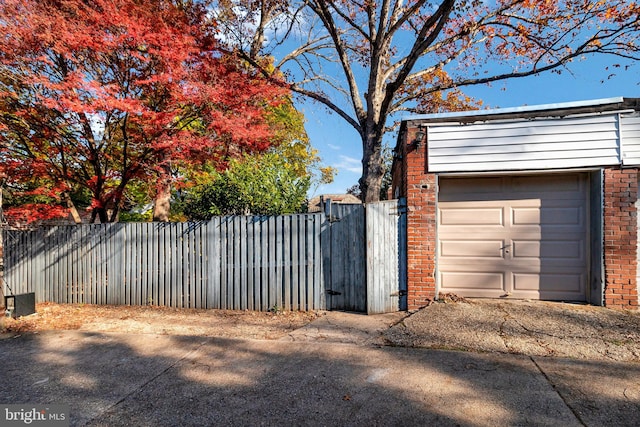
x,y
97,95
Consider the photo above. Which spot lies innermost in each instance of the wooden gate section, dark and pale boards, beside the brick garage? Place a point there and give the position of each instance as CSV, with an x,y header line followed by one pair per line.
x,y
364,256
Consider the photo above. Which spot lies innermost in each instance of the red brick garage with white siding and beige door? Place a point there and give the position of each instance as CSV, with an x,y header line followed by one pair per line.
x,y
531,202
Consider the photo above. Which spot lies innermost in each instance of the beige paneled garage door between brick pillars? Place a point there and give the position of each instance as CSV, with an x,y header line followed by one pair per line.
x,y
517,236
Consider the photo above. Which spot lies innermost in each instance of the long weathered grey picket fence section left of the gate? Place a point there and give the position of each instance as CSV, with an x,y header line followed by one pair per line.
x,y
253,263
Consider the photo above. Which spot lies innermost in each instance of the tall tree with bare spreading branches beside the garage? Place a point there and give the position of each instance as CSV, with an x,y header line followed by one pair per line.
x,y
368,60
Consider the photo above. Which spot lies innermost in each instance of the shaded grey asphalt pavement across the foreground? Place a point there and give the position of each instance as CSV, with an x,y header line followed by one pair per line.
x,y
333,372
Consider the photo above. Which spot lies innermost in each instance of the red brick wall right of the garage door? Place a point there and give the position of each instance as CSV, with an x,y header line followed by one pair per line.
x,y
620,238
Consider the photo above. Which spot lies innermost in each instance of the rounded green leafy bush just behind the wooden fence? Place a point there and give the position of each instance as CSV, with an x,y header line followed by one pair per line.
x,y
264,184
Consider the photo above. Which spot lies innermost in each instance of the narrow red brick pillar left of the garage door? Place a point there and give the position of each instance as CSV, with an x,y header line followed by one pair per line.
x,y
420,190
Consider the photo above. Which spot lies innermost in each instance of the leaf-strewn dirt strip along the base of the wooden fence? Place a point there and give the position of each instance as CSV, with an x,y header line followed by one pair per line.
x,y
158,320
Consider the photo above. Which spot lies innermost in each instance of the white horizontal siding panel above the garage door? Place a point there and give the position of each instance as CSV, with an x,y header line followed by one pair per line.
x,y
549,143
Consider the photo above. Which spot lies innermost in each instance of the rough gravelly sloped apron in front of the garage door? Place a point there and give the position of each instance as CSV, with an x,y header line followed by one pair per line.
x,y
533,328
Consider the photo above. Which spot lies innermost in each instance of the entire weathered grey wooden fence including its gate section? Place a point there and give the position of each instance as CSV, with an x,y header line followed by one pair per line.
x,y
293,262
